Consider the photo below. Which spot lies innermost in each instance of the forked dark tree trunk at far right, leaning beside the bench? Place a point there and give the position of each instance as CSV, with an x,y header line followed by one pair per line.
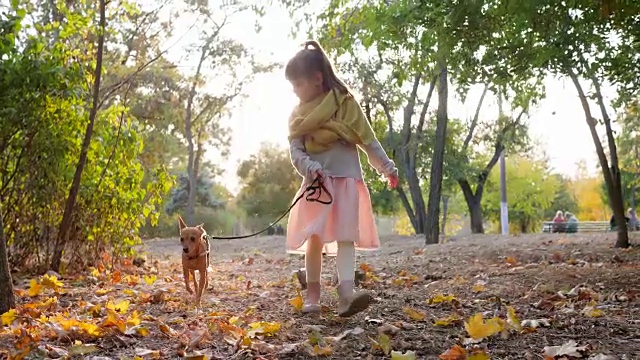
x,y
611,174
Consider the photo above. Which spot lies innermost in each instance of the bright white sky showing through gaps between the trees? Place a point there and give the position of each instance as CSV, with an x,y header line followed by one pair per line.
x,y
557,123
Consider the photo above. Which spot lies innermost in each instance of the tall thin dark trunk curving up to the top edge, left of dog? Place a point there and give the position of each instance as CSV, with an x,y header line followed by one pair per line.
x,y
67,217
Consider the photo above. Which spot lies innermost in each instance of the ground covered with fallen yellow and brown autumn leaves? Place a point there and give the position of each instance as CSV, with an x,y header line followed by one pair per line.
x,y
527,297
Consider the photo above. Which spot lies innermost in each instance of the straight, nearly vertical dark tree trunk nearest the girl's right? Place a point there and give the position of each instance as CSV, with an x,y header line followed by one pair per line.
x,y
435,184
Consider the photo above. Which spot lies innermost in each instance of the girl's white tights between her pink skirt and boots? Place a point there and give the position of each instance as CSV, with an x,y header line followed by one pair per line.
x,y
345,260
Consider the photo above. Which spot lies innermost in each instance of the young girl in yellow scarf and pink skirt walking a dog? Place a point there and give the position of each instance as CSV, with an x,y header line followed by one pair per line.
x,y
324,132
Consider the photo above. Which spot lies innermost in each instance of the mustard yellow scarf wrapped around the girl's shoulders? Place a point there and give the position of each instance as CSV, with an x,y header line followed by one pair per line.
x,y
323,121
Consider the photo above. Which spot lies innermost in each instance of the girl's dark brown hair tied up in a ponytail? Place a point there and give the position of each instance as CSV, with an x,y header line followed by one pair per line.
x,y
311,59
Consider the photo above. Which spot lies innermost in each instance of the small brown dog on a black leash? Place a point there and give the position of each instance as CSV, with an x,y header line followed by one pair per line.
x,y
195,256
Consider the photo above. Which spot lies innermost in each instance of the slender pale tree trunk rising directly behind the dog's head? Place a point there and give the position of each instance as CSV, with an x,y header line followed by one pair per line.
x,y
188,132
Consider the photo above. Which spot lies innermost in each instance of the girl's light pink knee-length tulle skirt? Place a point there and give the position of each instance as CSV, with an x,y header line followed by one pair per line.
x,y
348,218
